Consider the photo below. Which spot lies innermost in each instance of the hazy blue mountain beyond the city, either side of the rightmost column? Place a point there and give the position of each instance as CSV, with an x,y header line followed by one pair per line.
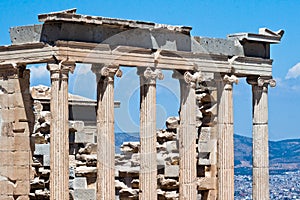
x,y
283,154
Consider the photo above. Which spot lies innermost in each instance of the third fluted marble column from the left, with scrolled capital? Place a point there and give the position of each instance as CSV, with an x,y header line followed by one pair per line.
x,y
148,163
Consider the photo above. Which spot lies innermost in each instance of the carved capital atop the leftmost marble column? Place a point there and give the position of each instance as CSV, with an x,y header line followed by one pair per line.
x,y
60,70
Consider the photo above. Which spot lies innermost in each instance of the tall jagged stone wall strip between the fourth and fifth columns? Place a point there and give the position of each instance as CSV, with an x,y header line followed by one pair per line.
x,y
206,96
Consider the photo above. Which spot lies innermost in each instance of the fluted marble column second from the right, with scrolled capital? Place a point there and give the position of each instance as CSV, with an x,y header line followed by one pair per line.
x,y
225,137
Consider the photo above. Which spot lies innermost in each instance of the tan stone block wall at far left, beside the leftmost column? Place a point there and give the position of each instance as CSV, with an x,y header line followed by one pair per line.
x,y
16,120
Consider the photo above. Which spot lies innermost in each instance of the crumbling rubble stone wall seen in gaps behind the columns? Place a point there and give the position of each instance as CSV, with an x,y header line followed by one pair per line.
x,y
83,156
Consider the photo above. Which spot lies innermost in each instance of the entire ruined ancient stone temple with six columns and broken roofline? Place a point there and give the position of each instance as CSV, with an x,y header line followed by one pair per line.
x,y
45,153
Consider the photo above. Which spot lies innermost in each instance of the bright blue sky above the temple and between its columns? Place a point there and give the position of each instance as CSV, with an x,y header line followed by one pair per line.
x,y
208,18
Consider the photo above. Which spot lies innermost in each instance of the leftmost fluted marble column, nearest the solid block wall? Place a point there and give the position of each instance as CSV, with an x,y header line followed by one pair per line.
x,y
59,130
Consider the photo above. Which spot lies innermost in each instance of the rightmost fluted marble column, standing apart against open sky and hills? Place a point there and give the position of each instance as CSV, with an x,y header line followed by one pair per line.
x,y
260,136
